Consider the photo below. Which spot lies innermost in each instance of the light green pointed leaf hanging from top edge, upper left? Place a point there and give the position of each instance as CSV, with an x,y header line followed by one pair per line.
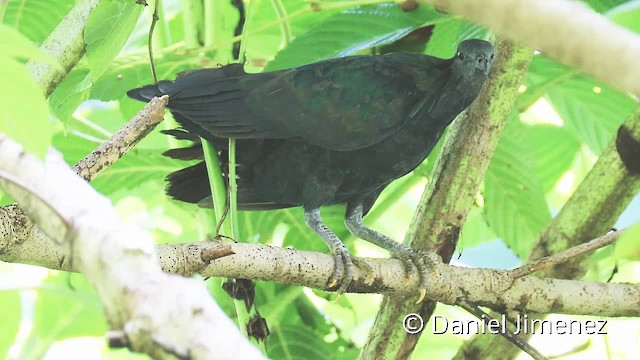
x,y
108,28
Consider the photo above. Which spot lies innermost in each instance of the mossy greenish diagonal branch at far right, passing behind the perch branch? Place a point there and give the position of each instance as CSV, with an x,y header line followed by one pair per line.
x,y
590,212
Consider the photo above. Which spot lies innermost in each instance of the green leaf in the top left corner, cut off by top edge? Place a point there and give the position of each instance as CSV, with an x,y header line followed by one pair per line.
x,y
35,19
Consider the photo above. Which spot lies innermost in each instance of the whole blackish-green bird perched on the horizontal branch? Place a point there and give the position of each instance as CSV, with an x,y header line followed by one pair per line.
x,y
336,131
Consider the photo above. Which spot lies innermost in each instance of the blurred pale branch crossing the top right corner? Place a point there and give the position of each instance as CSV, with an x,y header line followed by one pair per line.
x,y
568,31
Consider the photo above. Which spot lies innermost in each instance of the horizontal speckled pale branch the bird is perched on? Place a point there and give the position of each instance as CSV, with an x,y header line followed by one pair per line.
x,y
491,288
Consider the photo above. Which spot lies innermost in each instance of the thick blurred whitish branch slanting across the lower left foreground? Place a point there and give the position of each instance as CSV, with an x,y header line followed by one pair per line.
x,y
158,313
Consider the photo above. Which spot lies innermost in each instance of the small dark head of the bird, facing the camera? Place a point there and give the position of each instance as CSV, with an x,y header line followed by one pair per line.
x,y
473,56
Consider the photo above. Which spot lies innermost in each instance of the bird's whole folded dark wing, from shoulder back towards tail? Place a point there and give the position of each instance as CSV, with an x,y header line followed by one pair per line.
x,y
341,104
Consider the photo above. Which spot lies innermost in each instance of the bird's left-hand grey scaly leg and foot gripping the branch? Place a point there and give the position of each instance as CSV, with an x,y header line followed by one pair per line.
x,y
343,271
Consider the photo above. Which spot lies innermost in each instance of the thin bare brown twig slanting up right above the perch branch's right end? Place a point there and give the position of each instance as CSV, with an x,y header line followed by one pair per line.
x,y
565,255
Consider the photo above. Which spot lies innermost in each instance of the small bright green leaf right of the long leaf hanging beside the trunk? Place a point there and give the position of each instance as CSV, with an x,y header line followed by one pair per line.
x,y
554,149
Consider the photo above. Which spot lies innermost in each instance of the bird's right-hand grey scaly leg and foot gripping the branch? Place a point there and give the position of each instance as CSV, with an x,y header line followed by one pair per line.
x,y
410,258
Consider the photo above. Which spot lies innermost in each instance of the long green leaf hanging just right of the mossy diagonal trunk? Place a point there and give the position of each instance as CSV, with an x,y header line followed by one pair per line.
x,y
515,207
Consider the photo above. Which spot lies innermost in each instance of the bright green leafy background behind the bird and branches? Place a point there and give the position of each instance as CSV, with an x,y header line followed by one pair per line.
x,y
562,122
